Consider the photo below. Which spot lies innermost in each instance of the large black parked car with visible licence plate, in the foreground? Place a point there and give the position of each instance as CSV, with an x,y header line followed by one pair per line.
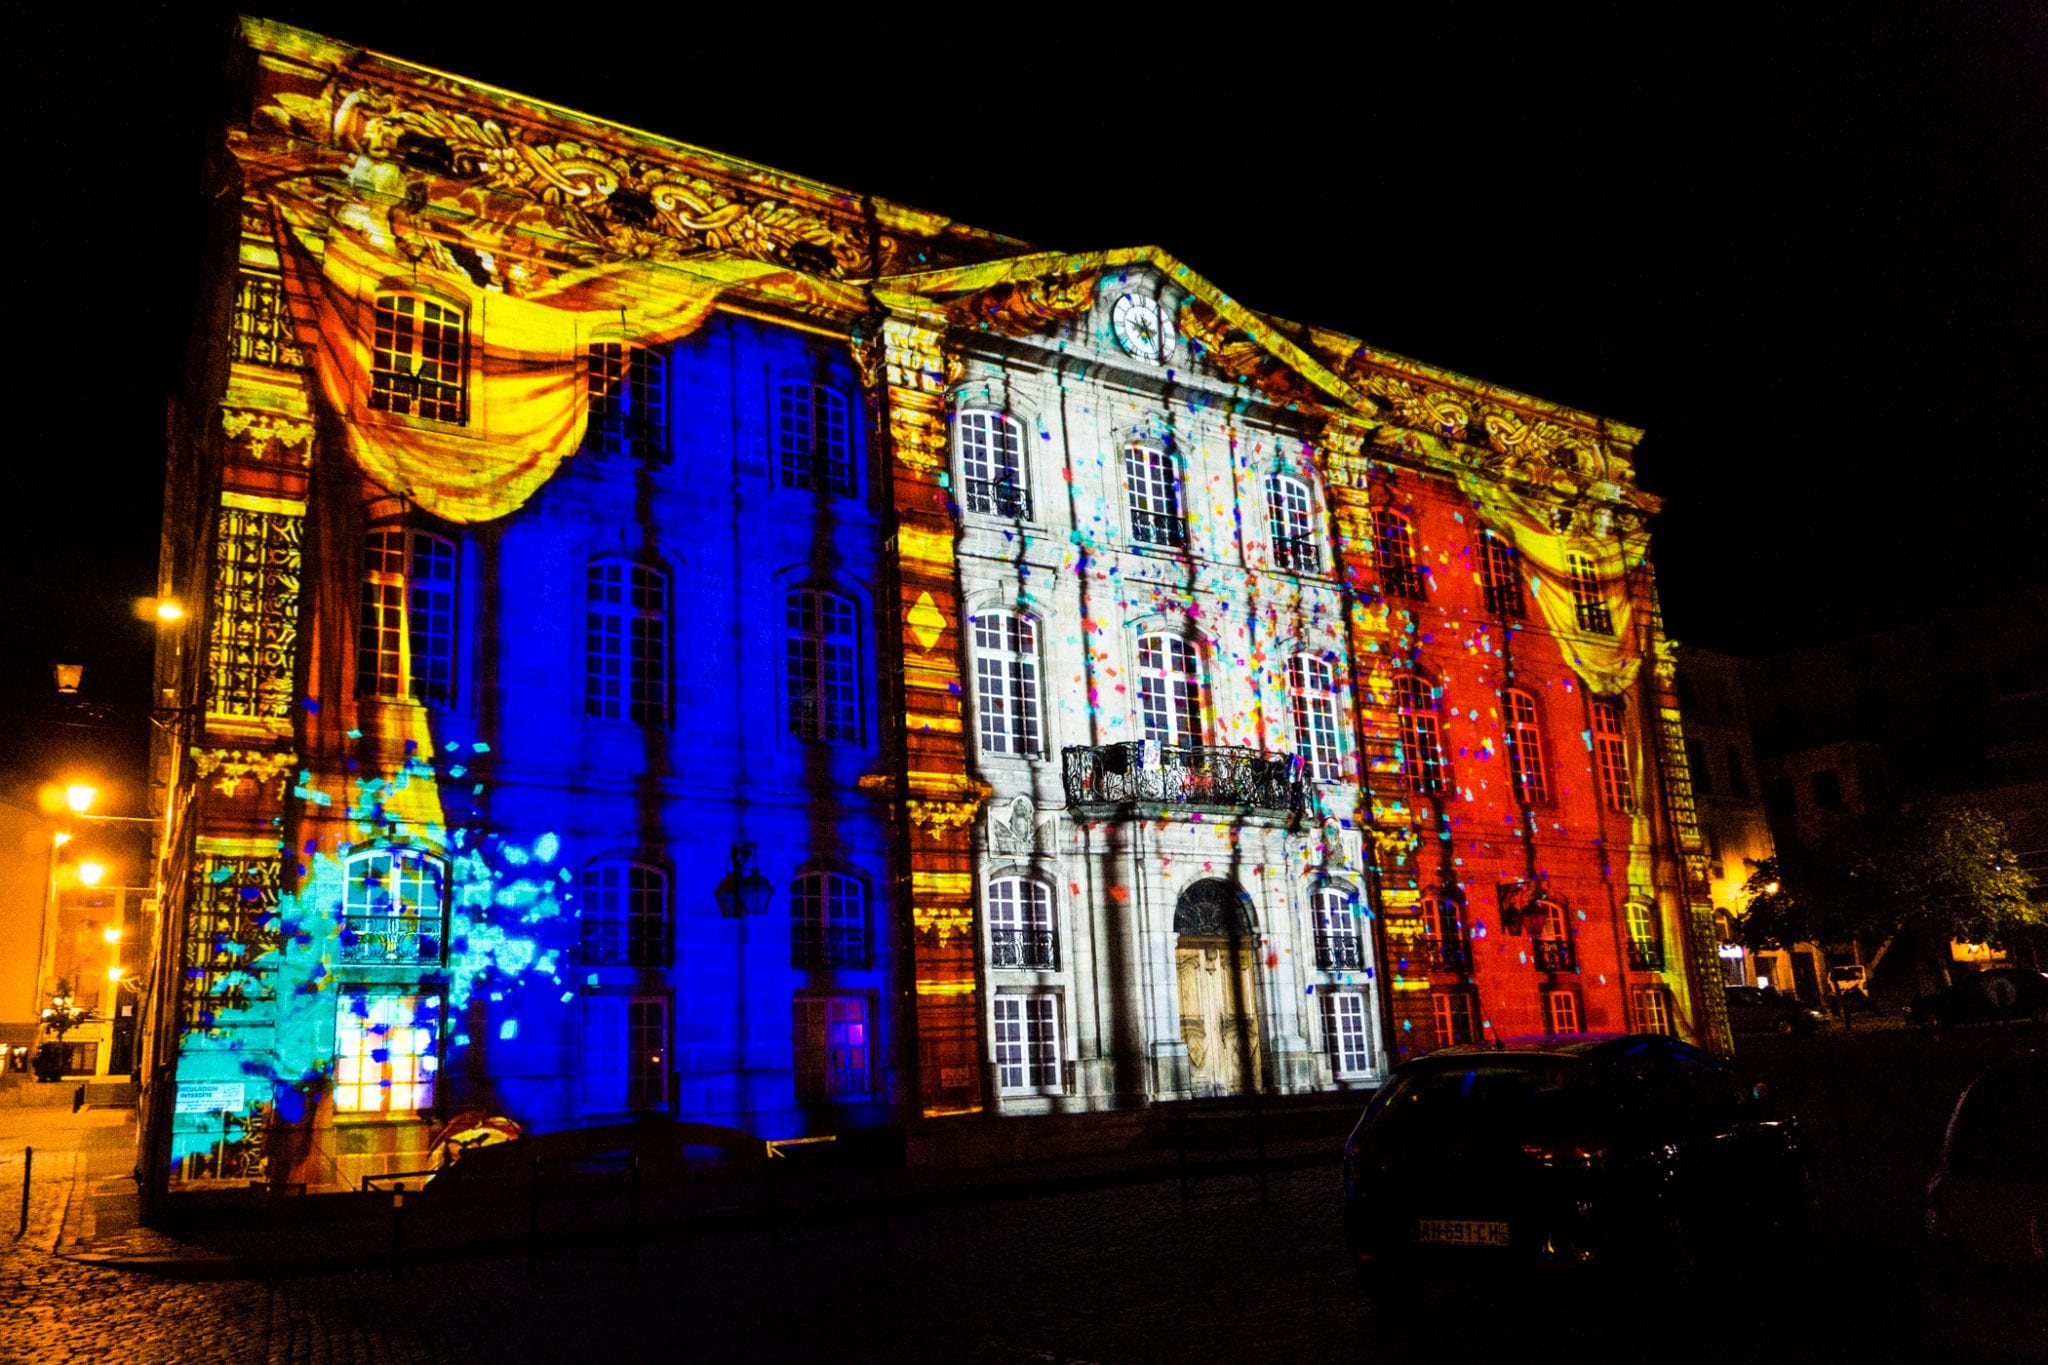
x,y
1631,1153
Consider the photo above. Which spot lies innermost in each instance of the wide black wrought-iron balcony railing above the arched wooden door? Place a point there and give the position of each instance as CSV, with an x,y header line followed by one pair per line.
x,y
1183,777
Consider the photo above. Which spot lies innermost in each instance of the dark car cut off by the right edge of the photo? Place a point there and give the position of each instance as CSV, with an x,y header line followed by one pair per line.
x,y
1988,1202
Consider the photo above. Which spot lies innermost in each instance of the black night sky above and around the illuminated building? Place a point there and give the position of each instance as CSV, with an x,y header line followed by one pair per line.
x,y
1801,247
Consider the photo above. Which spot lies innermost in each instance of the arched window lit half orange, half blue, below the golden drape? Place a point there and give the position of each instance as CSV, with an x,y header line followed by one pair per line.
x,y
407,619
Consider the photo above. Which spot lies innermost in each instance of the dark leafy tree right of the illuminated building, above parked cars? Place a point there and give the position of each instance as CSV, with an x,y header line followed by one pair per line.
x,y
1943,871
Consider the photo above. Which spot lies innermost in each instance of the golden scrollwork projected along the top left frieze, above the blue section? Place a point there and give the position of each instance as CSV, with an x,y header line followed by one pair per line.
x,y
613,204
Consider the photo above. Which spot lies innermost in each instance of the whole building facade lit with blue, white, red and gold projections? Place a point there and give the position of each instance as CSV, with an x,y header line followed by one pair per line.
x,y
681,640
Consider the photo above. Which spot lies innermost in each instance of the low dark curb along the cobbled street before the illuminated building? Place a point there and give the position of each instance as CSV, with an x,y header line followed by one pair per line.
x,y
206,1266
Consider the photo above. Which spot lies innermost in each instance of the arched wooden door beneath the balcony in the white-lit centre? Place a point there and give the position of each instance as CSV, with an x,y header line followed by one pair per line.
x,y
1218,1004
